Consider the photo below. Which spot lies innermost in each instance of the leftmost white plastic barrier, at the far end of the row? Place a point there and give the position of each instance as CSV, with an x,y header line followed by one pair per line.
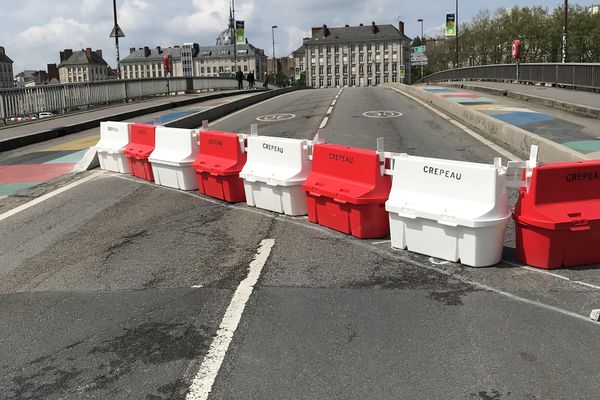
x,y
114,137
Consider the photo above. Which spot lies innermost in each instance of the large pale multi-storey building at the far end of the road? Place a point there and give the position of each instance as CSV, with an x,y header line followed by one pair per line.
x,y
357,55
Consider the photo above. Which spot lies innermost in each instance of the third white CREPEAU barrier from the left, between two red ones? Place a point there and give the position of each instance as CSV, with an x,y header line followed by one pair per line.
x,y
274,173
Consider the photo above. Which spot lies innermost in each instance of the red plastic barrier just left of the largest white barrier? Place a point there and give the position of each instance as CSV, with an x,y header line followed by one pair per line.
x,y
346,191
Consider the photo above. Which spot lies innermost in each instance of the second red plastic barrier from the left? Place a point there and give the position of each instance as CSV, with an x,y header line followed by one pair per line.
x,y
218,166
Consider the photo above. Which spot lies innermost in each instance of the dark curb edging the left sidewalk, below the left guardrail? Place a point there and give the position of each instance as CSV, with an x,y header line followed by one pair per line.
x,y
43,135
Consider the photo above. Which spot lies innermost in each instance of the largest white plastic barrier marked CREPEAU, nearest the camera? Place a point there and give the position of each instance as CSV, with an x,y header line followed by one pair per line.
x,y
451,210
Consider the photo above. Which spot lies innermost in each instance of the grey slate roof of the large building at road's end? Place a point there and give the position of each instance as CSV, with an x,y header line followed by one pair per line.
x,y
357,34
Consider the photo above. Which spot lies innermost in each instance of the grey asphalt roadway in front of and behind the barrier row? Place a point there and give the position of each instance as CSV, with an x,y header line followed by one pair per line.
x,y
116,288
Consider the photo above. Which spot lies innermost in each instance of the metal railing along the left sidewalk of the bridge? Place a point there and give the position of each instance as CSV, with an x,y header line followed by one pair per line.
x,y
33,100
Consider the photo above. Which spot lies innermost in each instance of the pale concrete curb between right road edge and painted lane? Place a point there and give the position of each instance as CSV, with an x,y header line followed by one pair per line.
x,y
512,138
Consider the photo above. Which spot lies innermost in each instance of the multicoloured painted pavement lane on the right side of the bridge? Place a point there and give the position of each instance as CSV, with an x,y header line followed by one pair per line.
x,y
548,126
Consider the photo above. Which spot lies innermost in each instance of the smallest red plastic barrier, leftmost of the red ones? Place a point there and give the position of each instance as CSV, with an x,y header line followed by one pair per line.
x,y
141,145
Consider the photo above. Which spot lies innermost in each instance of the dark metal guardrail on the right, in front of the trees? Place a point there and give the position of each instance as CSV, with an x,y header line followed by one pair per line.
x,y
574,75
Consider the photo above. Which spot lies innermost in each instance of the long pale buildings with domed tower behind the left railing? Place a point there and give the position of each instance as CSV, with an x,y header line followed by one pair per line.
x,y
191,59
